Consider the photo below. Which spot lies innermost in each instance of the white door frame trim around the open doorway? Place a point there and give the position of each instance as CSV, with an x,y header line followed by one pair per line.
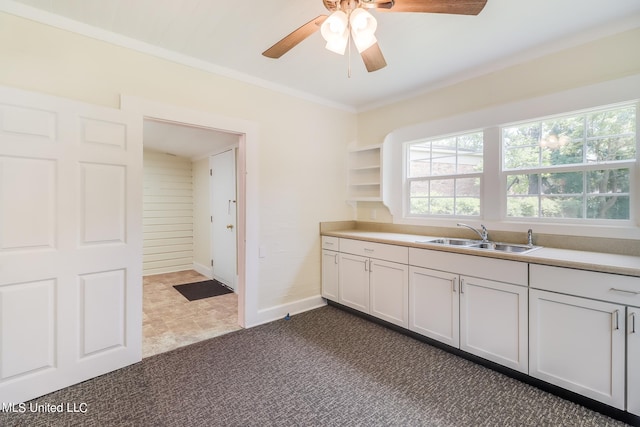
x,y
247,182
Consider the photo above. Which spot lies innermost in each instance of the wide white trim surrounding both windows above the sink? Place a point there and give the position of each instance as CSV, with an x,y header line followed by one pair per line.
x,y
619,91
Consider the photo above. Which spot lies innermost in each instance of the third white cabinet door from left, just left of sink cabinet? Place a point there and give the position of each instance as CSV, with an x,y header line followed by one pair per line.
x,y
389,289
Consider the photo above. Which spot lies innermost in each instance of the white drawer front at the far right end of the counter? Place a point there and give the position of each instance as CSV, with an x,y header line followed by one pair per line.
x,y
588,284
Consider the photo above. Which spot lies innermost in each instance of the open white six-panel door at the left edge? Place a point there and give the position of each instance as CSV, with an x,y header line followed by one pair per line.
x,y
70,243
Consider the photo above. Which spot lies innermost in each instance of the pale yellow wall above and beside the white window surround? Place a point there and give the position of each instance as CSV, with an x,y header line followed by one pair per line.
x,y
605,59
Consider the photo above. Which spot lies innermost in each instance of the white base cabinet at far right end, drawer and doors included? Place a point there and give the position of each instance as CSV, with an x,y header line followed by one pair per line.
x,y
581,325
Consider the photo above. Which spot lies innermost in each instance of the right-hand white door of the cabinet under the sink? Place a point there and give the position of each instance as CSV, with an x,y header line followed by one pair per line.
x,y
493,321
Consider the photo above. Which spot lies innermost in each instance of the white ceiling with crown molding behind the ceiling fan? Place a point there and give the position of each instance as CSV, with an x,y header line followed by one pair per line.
x,y
423,51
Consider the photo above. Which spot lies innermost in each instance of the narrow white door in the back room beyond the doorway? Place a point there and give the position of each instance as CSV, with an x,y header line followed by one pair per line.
x,y
223,218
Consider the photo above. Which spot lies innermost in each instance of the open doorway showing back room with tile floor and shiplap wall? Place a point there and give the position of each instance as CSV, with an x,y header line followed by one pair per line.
x,y
179,236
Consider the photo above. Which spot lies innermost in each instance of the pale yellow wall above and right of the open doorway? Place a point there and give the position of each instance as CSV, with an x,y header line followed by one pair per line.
x,y
302,160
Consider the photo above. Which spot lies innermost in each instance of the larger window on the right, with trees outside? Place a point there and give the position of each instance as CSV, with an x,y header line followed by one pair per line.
x,y
577,166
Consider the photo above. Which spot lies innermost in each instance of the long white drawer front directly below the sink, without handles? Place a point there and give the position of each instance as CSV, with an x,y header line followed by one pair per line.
x,y
477,266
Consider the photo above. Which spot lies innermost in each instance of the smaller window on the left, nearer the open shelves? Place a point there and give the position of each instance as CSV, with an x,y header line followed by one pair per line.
x,y
443,175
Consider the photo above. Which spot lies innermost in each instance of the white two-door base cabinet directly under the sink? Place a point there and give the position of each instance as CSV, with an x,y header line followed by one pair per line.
x,y
484,317
